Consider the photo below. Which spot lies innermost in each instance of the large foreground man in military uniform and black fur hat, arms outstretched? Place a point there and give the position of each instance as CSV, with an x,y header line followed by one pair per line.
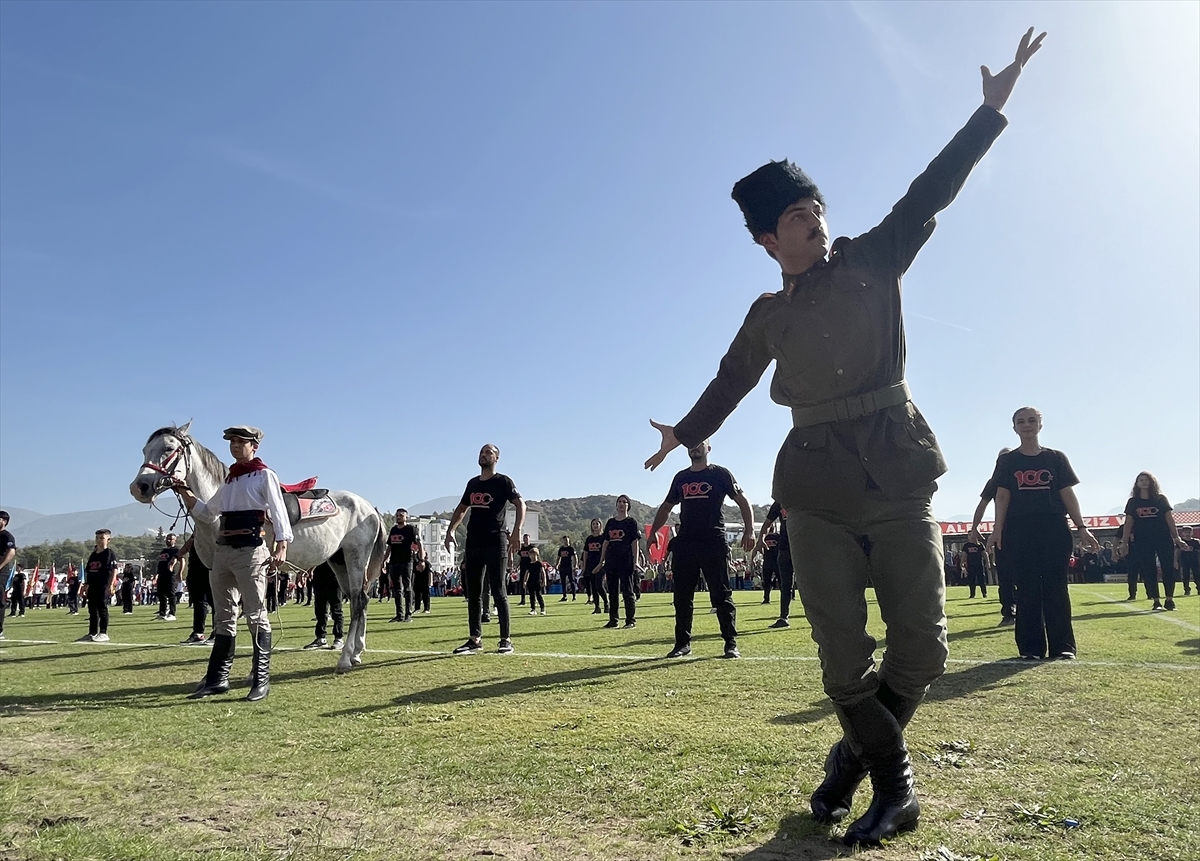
x,y
860,466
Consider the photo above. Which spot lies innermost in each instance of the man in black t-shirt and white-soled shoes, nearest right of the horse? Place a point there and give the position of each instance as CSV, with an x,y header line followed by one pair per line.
x,y
487,553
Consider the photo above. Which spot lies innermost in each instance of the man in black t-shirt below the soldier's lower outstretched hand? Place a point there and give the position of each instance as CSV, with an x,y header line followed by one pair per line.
x,y
699,547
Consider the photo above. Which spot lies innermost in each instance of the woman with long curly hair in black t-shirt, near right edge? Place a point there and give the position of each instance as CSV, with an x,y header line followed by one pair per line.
x,y
1149,533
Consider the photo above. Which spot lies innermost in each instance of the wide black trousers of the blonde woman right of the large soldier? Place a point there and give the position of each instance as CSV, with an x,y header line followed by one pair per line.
x,y
1039,550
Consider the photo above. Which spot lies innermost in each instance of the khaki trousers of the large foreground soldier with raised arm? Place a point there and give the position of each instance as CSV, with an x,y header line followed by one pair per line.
x,y
899,545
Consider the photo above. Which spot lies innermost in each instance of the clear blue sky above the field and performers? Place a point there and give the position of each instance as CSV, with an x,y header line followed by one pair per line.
x,y
389,233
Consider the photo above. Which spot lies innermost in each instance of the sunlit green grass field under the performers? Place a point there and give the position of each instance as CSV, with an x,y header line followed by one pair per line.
x,y
586,744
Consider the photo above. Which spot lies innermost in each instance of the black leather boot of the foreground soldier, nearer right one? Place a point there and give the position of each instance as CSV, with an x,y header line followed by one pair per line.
x,y
895,806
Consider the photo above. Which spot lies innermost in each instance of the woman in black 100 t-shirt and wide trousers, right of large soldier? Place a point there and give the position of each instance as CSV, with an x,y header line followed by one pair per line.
x,y
1034,497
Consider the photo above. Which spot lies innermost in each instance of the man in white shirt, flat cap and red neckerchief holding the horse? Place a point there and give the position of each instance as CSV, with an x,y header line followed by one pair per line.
x,y
239,509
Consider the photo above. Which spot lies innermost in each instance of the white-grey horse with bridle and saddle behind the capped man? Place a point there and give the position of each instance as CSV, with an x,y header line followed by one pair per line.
x,y
356,534
